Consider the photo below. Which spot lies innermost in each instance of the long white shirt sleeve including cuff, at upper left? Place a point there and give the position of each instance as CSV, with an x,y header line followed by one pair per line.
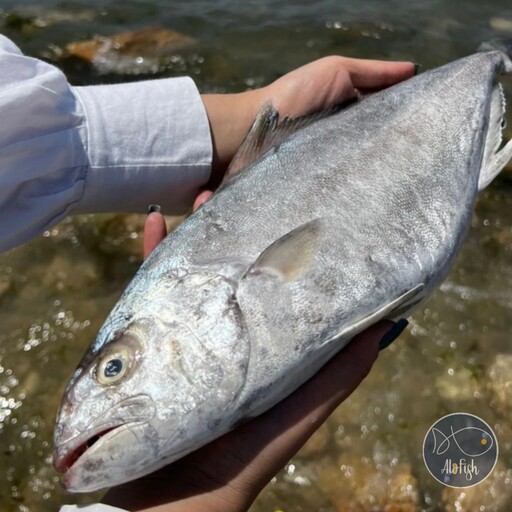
x,y
107,148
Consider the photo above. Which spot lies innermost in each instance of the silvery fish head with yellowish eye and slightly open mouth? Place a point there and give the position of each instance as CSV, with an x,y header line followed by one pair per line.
x,y
153,385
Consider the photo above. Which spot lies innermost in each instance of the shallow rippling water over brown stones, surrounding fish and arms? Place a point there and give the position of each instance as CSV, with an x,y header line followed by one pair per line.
x,y
56,291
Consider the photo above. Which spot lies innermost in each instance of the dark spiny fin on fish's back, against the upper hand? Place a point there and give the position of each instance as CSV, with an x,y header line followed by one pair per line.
x,y
267,132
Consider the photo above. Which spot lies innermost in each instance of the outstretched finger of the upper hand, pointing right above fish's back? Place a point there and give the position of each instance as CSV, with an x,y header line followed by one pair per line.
x,y
377,74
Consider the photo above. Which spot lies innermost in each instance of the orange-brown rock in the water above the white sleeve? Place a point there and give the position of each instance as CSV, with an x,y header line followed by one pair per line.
x,y
144,51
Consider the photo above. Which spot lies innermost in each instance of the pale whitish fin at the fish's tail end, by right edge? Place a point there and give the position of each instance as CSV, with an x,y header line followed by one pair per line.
x,y
494,159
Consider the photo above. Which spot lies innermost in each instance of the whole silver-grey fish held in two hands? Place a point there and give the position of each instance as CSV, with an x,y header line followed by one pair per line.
x,y
325,225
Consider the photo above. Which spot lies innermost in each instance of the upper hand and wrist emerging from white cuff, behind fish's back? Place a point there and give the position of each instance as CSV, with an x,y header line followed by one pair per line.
x,y
318,85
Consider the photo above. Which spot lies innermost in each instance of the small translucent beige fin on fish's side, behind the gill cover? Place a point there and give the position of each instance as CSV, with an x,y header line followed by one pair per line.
x,y
291,256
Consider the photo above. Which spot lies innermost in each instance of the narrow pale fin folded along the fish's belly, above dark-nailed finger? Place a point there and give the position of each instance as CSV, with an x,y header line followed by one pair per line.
x,y
394,309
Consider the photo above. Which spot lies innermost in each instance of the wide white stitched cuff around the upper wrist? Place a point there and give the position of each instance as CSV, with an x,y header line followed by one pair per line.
x,y
147,142
